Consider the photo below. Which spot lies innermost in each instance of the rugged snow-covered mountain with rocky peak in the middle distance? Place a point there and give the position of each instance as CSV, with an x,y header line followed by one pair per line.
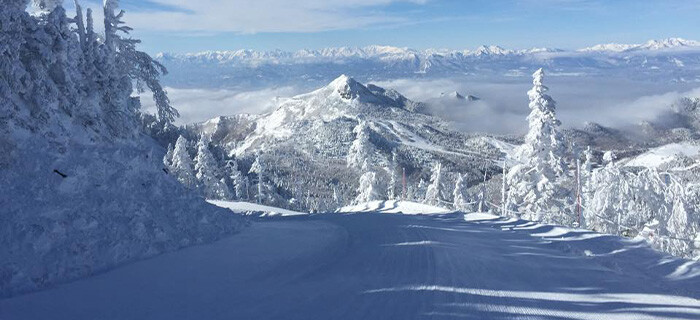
x,y
309,138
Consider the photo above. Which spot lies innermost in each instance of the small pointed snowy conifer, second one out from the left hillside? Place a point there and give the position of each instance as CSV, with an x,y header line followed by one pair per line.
x,y
210,180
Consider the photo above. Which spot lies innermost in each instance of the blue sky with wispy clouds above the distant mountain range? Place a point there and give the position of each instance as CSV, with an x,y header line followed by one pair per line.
x,y
197,25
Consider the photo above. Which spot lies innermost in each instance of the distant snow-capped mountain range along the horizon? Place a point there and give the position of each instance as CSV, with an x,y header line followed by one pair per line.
x,y
672,59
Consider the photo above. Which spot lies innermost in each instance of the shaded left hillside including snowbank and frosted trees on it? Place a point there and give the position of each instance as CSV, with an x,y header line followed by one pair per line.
x,y
82,186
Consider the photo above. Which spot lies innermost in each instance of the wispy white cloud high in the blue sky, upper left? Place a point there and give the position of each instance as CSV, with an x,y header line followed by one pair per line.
x,y
253,16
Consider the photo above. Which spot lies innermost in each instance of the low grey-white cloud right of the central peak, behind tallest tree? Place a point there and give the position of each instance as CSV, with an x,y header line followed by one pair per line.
x,y
504,106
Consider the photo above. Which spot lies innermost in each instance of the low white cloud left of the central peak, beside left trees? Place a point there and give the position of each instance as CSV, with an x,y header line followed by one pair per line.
x,y
196,105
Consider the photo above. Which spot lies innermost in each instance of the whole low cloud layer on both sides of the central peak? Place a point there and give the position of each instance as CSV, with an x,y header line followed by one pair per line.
x,y
502,108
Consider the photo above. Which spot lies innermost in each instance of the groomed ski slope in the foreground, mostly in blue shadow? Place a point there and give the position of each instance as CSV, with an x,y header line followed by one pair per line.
x,y
386,266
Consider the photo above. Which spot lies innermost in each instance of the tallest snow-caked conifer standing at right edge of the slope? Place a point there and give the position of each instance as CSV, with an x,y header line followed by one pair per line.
x,y
536,184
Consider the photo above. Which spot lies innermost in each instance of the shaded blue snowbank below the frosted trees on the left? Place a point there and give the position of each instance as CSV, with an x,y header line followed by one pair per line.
x,y
115,205
